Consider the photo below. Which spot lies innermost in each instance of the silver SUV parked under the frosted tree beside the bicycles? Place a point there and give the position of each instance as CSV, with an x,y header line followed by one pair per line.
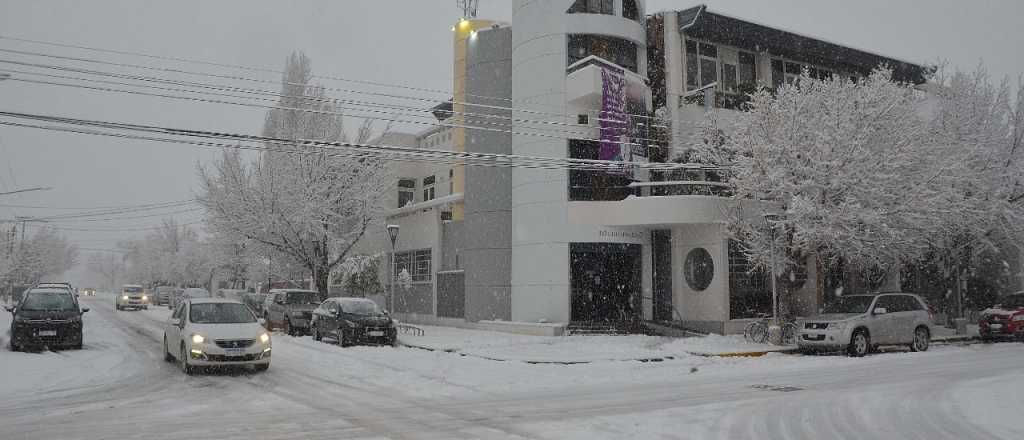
x,y
862,323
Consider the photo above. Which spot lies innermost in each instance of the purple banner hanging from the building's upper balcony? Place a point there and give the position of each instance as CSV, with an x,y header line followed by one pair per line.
x,y
614,122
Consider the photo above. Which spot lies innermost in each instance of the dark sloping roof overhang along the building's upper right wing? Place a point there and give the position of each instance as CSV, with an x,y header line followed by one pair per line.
x,y
701,24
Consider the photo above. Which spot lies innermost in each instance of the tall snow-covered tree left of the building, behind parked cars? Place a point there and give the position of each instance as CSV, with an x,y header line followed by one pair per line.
x,y
300,201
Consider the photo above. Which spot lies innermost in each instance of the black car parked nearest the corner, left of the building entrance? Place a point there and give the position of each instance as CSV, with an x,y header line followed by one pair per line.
x,y
354,321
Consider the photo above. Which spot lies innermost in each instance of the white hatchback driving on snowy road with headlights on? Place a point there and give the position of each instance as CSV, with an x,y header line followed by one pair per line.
x,y
216,332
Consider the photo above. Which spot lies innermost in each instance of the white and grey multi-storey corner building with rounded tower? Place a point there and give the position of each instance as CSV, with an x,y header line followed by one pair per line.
x,y
546,247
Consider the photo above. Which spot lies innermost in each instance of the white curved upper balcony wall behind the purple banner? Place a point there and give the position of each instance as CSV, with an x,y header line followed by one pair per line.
x,y
585,87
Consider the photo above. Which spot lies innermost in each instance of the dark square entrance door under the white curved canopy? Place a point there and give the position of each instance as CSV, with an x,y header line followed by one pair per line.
x,y
606,282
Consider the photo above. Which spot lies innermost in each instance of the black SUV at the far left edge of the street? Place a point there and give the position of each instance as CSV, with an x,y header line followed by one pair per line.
x,y
47,318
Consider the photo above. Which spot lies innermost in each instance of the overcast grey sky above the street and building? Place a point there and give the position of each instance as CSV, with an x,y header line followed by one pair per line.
x,y
389,41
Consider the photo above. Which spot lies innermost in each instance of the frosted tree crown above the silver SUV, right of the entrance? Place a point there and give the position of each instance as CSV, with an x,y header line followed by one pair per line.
x,y
850,167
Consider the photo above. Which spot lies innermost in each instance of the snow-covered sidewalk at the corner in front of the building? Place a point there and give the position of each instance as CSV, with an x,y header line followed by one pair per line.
x,y
578,349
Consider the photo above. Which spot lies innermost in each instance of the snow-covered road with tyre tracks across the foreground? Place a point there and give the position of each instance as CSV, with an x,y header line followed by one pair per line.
x,y
120,388
